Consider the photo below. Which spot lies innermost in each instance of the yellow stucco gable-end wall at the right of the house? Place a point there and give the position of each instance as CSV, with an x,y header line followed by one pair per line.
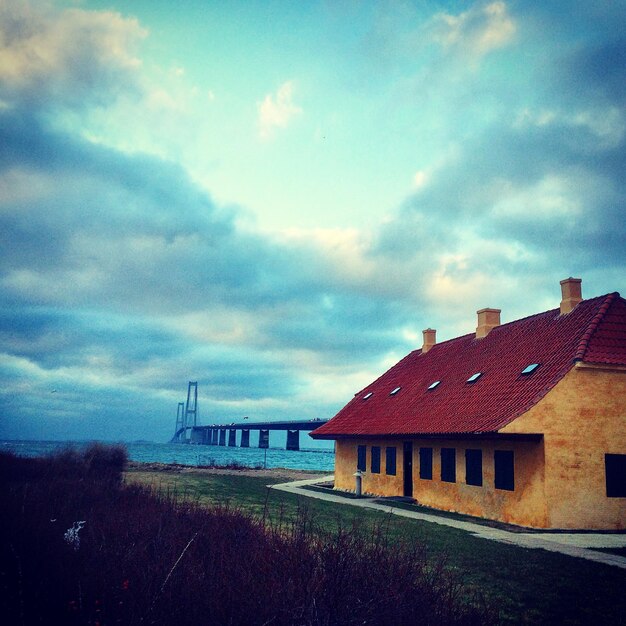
x,y
582,419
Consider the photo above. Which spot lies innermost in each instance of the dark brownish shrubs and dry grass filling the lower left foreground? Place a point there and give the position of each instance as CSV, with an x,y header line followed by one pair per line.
x,y
80,545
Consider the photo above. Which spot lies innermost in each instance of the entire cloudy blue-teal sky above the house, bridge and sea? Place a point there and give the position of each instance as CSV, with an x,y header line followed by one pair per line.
x,y
275,198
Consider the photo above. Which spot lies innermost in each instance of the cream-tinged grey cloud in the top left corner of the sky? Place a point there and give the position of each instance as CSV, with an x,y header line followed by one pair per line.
x,y
70,58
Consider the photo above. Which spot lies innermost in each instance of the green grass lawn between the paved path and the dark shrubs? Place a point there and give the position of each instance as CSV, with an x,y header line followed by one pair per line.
x,y
528,586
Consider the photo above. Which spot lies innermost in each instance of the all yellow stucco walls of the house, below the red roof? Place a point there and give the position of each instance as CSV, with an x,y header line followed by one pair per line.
x,y
559,480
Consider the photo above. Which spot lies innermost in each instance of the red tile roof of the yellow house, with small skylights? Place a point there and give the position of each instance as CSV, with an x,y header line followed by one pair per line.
x,y
594,332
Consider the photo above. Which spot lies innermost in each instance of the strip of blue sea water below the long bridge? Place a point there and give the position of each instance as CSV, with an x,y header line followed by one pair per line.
x,y
189,454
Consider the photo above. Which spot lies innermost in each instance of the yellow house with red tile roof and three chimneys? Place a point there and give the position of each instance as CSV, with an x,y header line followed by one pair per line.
x,y
522,422
